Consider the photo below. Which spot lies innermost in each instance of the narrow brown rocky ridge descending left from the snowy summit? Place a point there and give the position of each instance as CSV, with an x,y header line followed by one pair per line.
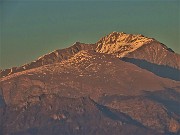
x,y
50,58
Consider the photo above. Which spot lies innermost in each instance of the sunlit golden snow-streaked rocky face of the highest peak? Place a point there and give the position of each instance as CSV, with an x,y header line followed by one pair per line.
x,y
120,43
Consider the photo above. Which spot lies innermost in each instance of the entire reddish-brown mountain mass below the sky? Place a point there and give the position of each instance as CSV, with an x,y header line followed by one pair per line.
x,y
124,84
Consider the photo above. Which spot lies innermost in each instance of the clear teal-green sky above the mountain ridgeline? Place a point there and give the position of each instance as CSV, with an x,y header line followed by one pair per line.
x,y
32,28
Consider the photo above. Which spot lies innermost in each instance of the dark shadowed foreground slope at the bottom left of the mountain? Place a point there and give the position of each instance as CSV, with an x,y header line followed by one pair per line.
x,y
67,116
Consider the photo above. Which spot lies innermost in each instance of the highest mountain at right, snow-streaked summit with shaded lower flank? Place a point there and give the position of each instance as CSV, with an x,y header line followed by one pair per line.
x,y
144,52
